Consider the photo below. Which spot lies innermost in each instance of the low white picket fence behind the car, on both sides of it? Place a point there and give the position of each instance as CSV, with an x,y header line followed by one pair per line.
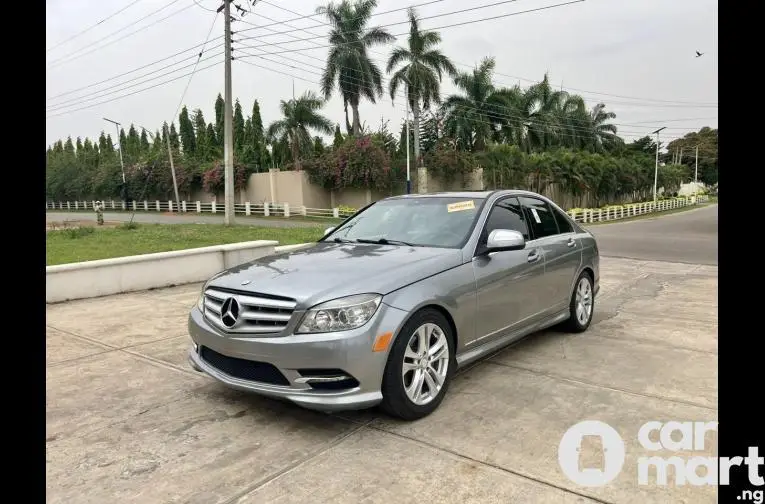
x,y
587,215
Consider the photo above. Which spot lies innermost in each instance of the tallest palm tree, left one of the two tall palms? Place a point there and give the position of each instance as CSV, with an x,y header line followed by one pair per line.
x,y
348,64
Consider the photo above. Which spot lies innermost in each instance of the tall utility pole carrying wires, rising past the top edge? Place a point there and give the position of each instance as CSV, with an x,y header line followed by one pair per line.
x,y
228,121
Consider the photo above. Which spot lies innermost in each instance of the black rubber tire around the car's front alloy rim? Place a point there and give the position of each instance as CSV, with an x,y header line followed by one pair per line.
x,y
395,401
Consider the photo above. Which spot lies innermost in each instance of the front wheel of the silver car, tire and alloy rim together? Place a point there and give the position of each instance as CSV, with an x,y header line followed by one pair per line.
x,y
419,367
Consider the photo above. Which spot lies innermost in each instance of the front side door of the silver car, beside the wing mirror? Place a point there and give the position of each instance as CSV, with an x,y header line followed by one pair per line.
x,y
509,283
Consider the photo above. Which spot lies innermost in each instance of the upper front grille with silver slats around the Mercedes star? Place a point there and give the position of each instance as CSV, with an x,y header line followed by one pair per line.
x,y
257,313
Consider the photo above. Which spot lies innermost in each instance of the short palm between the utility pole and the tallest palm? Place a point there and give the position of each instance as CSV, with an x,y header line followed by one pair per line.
x,y
300,115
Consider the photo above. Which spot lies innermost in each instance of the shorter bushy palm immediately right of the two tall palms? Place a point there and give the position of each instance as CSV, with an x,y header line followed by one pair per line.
x,y
475,115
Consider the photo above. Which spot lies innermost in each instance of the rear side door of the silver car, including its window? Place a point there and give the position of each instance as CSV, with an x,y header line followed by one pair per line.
x,y
561,249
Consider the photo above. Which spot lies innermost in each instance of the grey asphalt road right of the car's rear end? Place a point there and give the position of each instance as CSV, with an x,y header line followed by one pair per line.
x,y
684,237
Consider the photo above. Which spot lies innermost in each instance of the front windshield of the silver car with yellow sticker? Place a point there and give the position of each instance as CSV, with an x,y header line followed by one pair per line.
x,y
425,221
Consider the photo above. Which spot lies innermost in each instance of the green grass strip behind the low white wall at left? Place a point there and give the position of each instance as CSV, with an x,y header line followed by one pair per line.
x,y
87,244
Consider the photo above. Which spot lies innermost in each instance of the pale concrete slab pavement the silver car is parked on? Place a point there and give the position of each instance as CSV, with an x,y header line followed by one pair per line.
x,y
128,421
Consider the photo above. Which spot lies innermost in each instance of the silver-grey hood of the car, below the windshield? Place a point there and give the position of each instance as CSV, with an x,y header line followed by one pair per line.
x,y
324,271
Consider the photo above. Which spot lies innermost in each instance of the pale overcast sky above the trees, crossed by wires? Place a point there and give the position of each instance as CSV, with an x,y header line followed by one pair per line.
x,y
129,60
